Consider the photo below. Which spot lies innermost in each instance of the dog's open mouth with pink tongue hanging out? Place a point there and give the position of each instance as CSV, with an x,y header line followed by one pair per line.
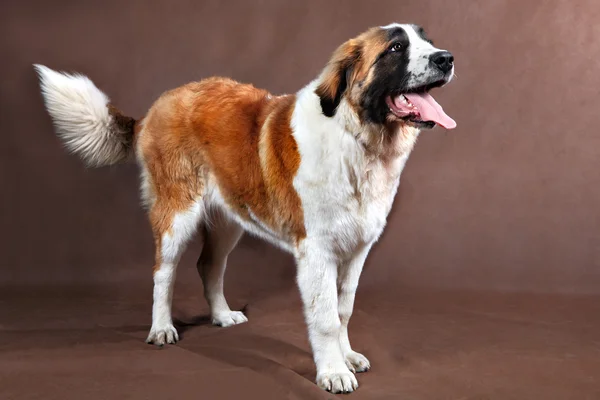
x,y
420,108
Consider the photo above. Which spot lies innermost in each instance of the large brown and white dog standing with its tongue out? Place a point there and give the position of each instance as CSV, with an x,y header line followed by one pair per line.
x,y
314,172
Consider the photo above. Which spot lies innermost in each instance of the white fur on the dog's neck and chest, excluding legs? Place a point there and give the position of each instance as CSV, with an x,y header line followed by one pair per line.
x,y
346,192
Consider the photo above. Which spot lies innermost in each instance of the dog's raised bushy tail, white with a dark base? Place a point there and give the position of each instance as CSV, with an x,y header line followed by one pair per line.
x,y
88,124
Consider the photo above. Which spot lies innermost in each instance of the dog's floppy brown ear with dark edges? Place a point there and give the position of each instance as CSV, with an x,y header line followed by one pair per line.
x,y
337,75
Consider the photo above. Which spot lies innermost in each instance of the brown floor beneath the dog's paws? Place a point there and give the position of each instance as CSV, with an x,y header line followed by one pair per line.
x,y
88,343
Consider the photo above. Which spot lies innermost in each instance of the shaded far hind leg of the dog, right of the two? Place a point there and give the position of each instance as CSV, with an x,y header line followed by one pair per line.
x,y
221,234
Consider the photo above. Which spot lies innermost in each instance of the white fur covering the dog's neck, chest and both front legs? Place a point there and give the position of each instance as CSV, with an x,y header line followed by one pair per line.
x,y
346,196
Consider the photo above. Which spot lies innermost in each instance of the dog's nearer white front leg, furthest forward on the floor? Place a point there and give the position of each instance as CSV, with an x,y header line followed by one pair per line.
x,y
317,281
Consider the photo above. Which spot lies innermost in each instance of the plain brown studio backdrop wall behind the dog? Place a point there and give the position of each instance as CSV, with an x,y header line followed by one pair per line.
x,y
509,201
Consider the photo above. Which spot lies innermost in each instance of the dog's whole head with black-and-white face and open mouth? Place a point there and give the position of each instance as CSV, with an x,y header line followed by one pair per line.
x,y
385,75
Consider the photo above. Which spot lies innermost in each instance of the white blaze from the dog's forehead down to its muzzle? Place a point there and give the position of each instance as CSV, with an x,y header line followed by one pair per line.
x,y
419,52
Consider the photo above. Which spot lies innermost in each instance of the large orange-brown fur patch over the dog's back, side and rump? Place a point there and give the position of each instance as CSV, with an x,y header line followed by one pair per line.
x,y
218,128
